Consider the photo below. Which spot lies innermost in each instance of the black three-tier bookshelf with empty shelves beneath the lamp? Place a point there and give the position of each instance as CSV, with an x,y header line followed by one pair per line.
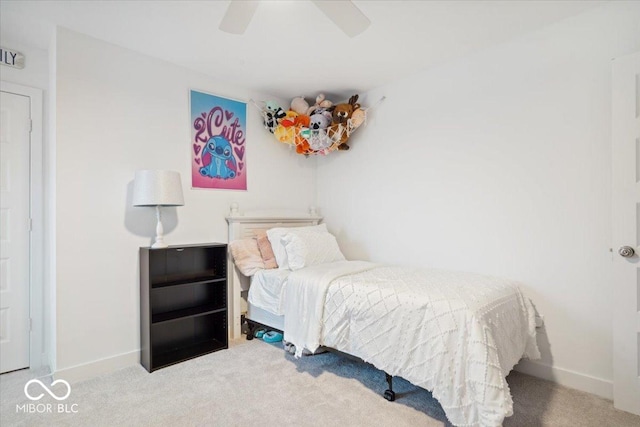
x,y
183,303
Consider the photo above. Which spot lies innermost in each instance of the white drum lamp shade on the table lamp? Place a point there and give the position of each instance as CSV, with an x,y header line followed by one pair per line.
x,y
157,188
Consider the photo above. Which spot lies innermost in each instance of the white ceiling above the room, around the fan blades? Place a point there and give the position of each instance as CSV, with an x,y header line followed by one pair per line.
x,y
291,48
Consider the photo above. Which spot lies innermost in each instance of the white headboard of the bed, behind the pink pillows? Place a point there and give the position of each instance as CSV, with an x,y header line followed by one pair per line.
x,y
242,226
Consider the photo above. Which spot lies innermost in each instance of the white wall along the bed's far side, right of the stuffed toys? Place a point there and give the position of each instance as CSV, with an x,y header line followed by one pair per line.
x,y
500,163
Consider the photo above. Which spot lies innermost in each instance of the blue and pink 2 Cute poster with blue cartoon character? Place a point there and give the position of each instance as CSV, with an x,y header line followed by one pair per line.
x,y
218,137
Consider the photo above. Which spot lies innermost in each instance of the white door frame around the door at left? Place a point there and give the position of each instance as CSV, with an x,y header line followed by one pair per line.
x,y
37,354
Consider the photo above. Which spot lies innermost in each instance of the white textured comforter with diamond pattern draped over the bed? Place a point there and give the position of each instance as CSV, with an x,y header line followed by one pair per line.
x,y
456,334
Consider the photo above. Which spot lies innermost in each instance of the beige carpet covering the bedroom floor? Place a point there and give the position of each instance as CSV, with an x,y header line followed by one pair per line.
x,y
257,384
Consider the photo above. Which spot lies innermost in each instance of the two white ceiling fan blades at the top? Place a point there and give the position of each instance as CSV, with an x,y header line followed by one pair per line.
x,y
343,13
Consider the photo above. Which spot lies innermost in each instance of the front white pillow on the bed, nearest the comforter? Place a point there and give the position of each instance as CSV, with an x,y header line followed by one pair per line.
x,y
306,248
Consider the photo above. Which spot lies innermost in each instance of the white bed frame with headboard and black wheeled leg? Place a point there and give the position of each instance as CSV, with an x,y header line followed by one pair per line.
x,y
242,226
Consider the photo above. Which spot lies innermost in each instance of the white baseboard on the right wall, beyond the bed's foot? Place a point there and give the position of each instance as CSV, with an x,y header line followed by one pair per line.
x,y
567,378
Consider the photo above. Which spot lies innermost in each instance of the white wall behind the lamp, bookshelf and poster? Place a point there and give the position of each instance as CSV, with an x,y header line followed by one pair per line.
x,y
117,112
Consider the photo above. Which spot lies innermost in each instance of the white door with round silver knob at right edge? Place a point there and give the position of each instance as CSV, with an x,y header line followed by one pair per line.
x,y
626,232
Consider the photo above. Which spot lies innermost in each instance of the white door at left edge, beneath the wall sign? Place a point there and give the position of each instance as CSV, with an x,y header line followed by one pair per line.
x,y
15,125
